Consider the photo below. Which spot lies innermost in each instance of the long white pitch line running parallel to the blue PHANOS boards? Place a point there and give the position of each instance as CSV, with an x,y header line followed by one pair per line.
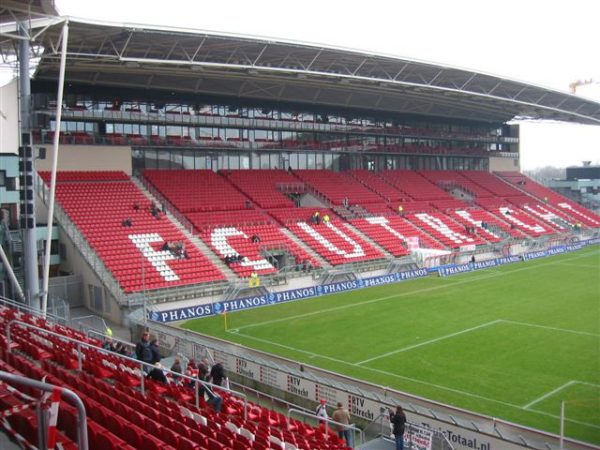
x,y
485,275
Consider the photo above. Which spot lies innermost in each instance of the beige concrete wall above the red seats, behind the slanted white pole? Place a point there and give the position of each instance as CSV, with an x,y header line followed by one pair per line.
x,y
88,157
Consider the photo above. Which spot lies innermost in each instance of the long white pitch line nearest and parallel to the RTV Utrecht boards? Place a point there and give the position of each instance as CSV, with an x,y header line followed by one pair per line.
x,y
414,380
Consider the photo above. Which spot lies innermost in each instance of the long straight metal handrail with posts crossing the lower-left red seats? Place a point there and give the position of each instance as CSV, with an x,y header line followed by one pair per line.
x,y
80,344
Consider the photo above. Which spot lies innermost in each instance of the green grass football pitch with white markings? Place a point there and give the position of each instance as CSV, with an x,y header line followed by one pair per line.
x,y
511,342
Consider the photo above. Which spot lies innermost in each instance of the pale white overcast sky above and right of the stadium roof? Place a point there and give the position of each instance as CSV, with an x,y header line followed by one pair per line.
x,y
548,43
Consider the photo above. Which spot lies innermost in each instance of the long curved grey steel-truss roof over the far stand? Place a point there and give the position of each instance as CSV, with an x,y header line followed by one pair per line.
x,y
242,67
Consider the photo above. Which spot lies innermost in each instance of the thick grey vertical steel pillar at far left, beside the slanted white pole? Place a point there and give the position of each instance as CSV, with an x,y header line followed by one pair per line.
x,y
28,226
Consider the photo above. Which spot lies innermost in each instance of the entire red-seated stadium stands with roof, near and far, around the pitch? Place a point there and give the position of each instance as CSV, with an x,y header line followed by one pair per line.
x,y
151,175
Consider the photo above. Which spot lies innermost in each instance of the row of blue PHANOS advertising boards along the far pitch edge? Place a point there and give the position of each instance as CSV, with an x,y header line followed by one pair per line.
x,y
210,309
